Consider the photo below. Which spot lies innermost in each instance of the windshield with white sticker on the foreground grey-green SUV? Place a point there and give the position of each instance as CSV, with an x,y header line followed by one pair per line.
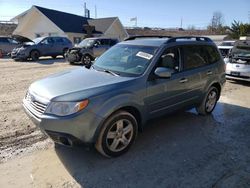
x,y
127,60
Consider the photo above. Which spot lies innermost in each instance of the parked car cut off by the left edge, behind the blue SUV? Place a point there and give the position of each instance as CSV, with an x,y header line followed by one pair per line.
x,y
7,44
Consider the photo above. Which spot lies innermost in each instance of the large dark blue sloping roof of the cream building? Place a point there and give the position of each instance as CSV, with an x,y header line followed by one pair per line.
x,y
66,21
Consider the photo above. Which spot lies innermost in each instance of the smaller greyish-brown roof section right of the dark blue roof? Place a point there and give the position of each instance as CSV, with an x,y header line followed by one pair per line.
x,y
102,24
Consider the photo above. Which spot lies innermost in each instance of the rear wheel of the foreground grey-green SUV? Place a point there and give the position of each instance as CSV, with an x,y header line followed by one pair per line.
x,y
209,102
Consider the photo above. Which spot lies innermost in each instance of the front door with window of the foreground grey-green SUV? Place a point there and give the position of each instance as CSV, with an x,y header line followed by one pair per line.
x,y
167,94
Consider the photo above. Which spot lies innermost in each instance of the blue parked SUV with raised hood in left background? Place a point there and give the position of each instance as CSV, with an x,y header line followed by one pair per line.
x,y
42,46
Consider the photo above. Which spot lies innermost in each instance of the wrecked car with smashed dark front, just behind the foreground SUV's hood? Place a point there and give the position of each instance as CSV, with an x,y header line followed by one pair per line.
x,y
89,49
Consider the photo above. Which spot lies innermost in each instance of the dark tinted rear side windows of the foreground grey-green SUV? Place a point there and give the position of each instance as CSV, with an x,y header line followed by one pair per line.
x,y
198,56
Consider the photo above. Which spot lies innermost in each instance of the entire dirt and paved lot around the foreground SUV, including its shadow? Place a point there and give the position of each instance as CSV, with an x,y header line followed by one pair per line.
x,y
182,150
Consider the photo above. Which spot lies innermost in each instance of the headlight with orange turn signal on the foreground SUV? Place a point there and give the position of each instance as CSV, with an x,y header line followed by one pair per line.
x,y
66,108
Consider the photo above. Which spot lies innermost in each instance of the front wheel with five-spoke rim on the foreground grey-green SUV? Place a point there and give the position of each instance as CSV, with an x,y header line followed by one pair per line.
x,y
117,134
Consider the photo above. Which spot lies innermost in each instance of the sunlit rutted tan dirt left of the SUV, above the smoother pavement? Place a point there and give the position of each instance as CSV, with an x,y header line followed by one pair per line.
x,y
17,132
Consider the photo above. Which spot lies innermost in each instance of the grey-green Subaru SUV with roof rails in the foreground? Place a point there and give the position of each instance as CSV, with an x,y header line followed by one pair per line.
x,y
134,81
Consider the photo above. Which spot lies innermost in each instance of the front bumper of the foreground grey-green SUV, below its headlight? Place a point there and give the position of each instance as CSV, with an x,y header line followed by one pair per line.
x,y
80,127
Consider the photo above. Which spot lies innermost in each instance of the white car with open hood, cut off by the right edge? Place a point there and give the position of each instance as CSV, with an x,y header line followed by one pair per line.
x,y
238,66
